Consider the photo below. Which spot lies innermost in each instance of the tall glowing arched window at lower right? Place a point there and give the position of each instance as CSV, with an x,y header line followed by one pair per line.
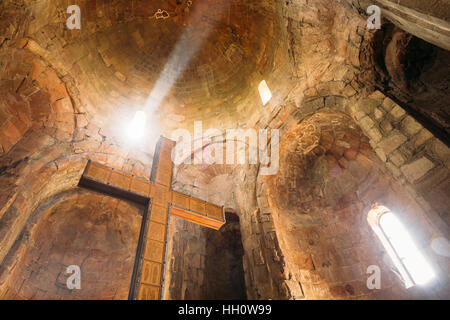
x,y
410,262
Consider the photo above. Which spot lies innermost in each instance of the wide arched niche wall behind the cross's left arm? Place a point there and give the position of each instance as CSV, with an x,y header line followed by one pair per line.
x,y
97,233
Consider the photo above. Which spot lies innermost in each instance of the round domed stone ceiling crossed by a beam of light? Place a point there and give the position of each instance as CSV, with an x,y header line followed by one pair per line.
x,y
184,59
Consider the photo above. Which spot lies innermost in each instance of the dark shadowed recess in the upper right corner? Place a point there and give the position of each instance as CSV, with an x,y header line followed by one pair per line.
x,y
413,73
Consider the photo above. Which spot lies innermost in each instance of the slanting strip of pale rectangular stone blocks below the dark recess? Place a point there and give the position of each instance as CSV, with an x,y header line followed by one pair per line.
x,y
416,158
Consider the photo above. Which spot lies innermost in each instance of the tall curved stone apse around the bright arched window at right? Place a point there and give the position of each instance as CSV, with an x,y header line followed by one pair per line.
x,y
322,229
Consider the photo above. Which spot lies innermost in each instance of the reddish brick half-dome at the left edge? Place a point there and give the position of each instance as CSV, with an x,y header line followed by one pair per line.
x,y
35,99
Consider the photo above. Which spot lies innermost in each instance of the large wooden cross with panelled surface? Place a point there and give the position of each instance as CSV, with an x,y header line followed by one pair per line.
x,y
160,201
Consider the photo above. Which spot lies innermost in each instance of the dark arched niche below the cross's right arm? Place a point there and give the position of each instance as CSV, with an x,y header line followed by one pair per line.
x,y
204,263
